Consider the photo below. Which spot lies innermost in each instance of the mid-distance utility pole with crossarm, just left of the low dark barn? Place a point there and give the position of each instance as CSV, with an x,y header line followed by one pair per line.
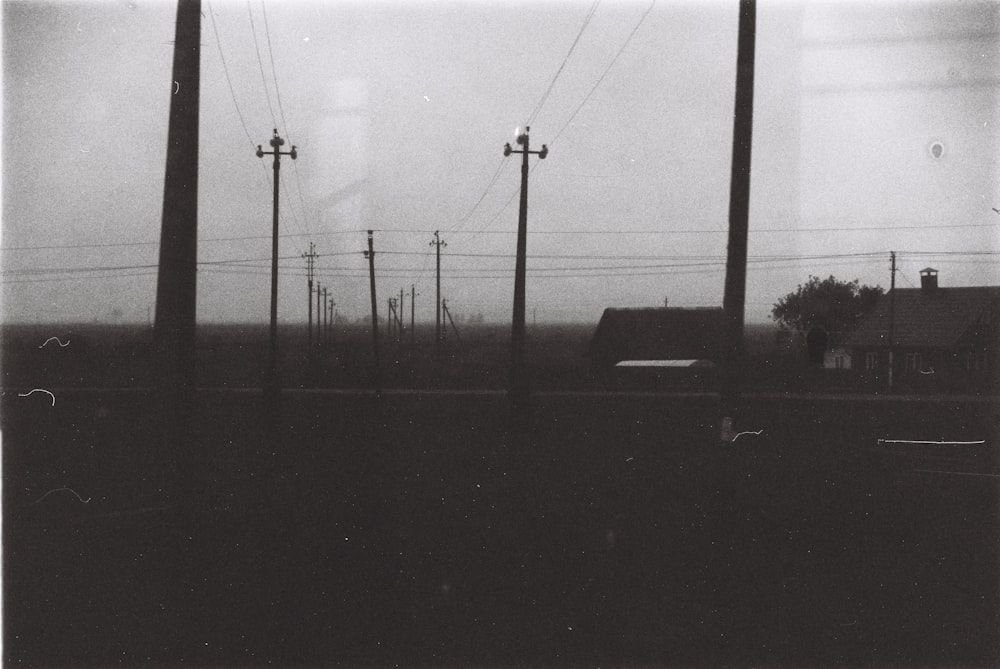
x,y
518,392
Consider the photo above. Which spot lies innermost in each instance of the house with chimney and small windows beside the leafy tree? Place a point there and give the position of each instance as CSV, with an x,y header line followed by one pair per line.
x,y
943,339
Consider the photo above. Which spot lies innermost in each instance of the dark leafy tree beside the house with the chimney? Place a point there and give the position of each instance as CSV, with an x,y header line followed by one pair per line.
x,y
836,306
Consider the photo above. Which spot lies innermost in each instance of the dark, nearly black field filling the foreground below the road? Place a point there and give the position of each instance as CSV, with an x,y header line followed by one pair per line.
x,y
421,530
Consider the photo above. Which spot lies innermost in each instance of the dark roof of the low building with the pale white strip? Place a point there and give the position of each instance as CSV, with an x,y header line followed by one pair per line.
x,y
658,334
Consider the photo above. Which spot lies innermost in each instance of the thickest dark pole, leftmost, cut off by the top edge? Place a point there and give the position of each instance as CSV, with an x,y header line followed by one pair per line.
x,y
174,328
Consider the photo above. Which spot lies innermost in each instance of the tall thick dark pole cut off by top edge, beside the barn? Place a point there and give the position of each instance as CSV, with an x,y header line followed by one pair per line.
x,y
734,300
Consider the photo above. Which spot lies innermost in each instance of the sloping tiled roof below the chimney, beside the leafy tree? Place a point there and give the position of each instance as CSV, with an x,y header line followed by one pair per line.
x,y
937,318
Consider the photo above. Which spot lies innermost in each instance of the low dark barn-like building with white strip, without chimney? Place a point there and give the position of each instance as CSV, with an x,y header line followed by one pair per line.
x,y
664,339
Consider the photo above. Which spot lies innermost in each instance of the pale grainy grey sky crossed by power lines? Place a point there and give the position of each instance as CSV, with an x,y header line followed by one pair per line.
x,y
875,130
